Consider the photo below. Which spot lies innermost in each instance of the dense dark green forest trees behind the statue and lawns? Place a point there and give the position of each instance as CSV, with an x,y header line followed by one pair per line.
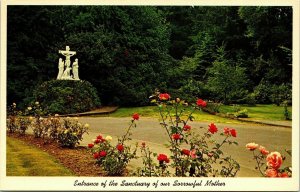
x,y
225,54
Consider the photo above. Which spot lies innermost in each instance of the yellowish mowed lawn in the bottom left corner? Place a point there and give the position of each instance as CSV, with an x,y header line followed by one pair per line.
x,y
26,160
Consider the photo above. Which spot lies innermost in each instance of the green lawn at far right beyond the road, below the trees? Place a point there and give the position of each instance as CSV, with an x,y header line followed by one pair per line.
x,y
260,112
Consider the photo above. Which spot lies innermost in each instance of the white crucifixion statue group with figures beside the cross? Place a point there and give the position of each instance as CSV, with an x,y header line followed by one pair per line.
x,y
65,70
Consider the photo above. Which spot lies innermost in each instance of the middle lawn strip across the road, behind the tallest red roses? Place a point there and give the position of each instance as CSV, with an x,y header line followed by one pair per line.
x,y
153,111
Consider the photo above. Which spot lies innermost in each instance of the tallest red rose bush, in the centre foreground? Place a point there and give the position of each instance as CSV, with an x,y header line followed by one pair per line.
x,y
203,155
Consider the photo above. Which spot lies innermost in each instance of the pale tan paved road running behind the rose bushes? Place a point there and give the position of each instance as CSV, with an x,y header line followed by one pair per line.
x,y
149,130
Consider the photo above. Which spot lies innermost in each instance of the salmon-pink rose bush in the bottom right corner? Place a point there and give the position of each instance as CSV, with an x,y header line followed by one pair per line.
x,y
269,163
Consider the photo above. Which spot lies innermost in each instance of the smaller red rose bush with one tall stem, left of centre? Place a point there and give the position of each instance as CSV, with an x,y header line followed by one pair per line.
x,y
114,158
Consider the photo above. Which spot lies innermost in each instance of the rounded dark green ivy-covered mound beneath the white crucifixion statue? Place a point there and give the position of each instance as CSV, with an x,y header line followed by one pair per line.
x,y
66,96
